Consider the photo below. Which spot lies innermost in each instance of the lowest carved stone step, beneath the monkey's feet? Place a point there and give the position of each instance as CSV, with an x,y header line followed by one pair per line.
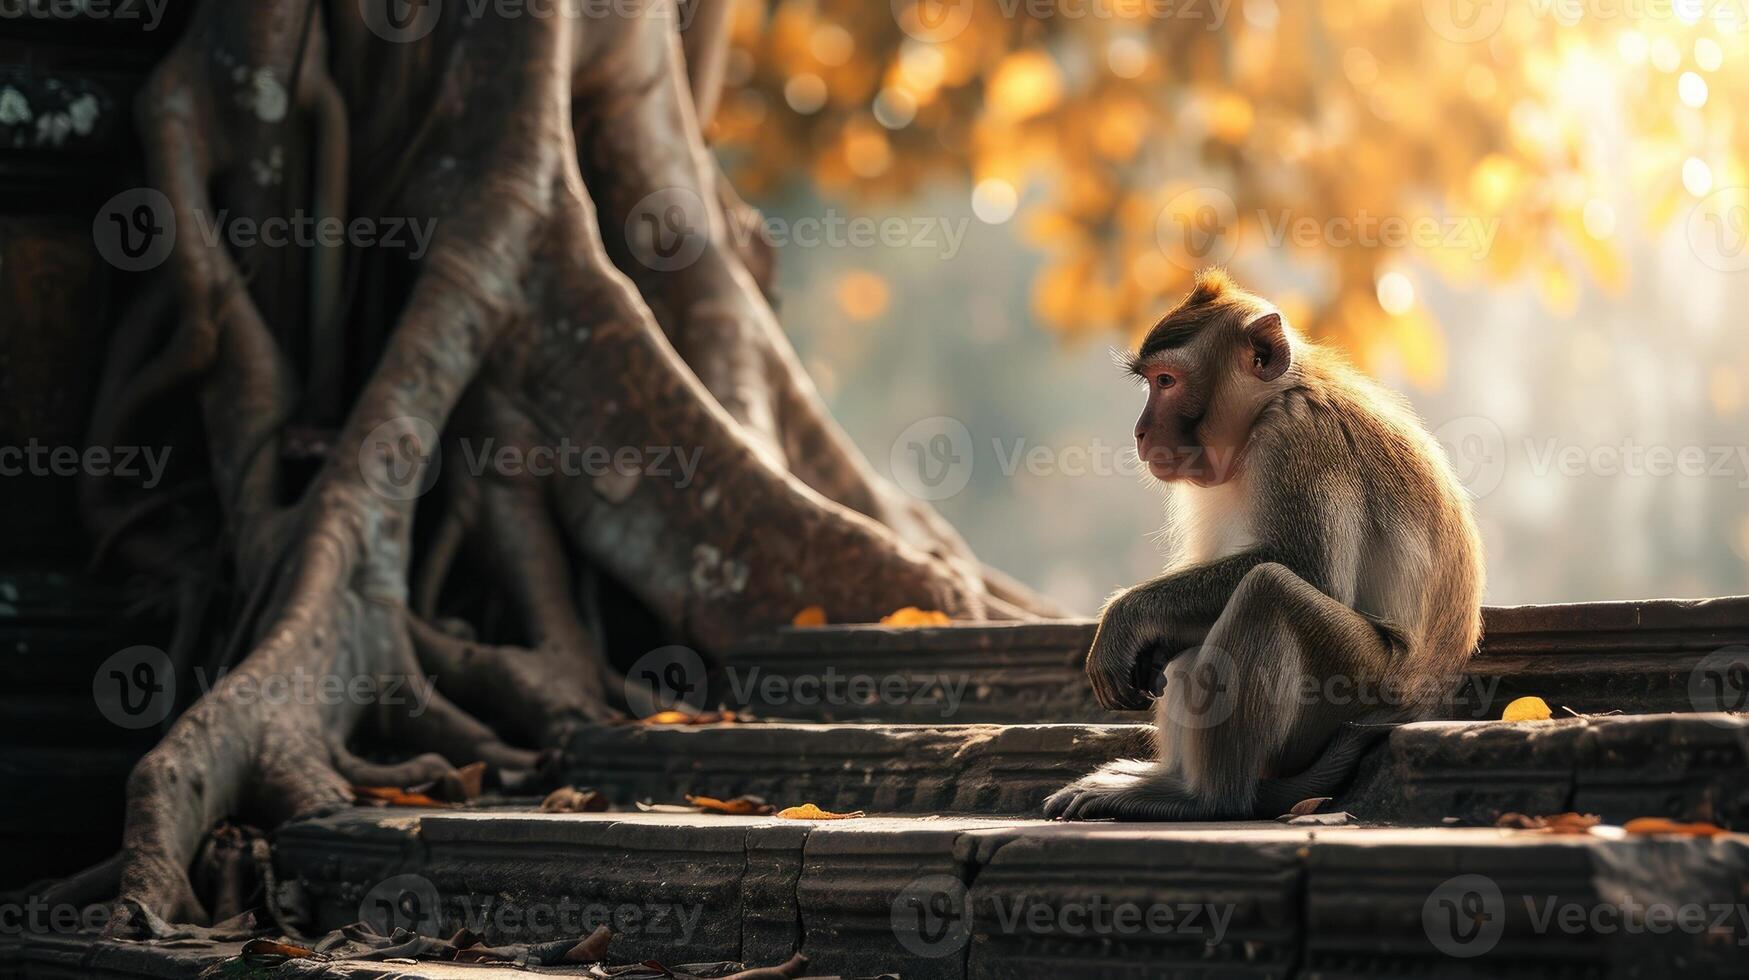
x,y
947,899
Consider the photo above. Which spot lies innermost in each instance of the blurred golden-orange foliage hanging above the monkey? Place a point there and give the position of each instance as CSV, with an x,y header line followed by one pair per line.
x,y
1122,127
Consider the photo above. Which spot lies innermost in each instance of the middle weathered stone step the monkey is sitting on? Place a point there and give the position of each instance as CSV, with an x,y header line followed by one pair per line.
x,y
1622,767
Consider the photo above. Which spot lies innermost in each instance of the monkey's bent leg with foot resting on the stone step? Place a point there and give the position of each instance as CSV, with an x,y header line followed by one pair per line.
x,y
1255,701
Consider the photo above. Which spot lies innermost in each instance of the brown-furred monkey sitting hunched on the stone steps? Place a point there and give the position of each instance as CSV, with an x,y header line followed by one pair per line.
x,y
1328,571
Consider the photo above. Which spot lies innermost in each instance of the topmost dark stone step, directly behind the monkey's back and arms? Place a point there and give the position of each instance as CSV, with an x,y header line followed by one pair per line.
x,y
1596,657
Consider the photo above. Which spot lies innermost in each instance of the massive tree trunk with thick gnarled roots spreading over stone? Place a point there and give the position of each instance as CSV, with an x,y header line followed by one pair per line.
x,y
583,290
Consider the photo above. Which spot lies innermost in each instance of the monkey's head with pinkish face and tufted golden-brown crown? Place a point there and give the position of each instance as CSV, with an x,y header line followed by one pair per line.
x,y
1211,367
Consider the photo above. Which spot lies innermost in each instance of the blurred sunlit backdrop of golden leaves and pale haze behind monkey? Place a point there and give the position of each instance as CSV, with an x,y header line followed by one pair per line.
x,y
1528,218
